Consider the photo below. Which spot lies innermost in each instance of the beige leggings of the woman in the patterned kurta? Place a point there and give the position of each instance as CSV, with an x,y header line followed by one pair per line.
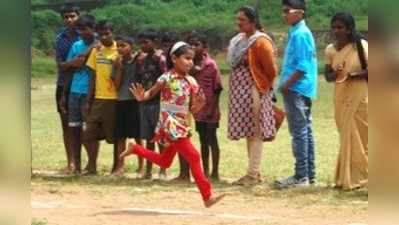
x,y
255,144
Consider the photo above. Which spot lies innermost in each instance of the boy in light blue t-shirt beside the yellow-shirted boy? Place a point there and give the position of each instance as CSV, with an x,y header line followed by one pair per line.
x,y
79,85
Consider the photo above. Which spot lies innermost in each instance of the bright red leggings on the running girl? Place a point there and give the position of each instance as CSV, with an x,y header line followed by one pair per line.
x,y
188,151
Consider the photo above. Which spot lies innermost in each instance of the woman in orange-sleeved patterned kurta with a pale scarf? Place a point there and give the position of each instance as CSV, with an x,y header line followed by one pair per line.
x,y
251,57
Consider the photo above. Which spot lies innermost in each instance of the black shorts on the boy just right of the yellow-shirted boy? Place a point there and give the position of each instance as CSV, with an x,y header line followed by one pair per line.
x,y
127,119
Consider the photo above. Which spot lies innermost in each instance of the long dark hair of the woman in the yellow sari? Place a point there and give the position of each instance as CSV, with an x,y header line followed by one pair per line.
x,y
354,36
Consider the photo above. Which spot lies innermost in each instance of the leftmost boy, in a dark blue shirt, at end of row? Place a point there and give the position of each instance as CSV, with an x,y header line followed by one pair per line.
x,y
63,43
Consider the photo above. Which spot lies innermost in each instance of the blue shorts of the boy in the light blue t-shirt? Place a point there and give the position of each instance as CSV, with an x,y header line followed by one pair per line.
x,y
76,113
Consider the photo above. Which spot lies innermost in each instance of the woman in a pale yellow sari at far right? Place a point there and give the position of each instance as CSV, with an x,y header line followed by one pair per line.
x,y
347,66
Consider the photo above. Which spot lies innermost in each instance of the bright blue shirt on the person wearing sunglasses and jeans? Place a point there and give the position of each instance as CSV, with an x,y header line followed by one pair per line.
x,y
300,55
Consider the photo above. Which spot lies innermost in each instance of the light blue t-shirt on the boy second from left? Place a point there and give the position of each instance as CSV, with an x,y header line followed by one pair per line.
x,y
81,78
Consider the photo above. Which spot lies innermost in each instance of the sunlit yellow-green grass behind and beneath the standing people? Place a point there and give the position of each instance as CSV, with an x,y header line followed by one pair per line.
x,y
48,154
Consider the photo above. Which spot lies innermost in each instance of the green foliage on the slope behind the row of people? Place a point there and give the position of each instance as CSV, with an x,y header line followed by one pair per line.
x,y
214,18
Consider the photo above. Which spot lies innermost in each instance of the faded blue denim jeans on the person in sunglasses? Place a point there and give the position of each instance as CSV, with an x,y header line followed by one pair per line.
x,y
298,110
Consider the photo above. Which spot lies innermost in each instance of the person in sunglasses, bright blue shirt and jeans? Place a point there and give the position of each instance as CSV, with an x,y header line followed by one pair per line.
x,y
298,84
